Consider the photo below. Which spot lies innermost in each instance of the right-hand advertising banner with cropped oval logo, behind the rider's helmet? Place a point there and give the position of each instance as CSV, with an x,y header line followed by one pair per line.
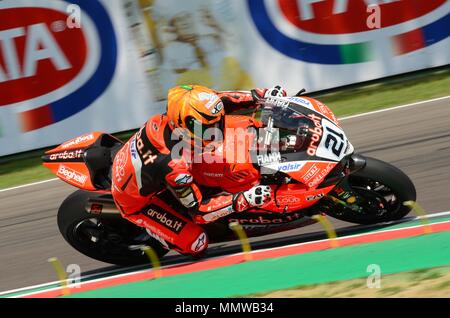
x,y
312,44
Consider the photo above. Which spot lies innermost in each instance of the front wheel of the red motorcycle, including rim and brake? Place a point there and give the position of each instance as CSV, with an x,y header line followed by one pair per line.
x,y
374,194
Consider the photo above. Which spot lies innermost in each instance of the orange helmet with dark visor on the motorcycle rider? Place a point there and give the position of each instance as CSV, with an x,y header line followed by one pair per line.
x,y
195,108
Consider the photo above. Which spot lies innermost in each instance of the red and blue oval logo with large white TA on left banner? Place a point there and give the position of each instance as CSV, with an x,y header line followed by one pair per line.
x,y
53,81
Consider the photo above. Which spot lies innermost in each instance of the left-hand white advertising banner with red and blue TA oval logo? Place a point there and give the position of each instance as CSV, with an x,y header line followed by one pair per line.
x,y
66,68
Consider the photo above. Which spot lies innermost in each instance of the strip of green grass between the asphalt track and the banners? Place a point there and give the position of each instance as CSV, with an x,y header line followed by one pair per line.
x,y
26,168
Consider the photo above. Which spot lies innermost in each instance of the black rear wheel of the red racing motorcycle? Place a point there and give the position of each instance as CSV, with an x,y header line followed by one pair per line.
x,y
109,239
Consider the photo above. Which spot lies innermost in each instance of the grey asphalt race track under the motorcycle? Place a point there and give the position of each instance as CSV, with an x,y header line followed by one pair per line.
x,y
415,139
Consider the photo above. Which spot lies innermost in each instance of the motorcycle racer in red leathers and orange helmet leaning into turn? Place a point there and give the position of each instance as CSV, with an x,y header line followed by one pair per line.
x,y
145,166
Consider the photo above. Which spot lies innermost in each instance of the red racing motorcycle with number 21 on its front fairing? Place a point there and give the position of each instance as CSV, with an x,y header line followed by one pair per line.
x,y
301,152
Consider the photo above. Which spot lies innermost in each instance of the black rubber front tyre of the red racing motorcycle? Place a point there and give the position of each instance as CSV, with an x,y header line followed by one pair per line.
x,y
395,180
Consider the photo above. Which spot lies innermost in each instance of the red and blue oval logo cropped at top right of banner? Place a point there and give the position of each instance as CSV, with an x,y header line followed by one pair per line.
x,y
297,28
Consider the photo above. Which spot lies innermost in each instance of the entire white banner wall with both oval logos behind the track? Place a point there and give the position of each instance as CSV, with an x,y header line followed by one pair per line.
x,y
71,67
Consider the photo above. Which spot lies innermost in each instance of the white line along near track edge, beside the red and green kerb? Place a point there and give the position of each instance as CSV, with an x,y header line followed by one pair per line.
x,y
168,266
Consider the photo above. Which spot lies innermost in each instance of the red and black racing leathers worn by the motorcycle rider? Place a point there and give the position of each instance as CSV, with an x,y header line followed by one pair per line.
x,y
144,166
